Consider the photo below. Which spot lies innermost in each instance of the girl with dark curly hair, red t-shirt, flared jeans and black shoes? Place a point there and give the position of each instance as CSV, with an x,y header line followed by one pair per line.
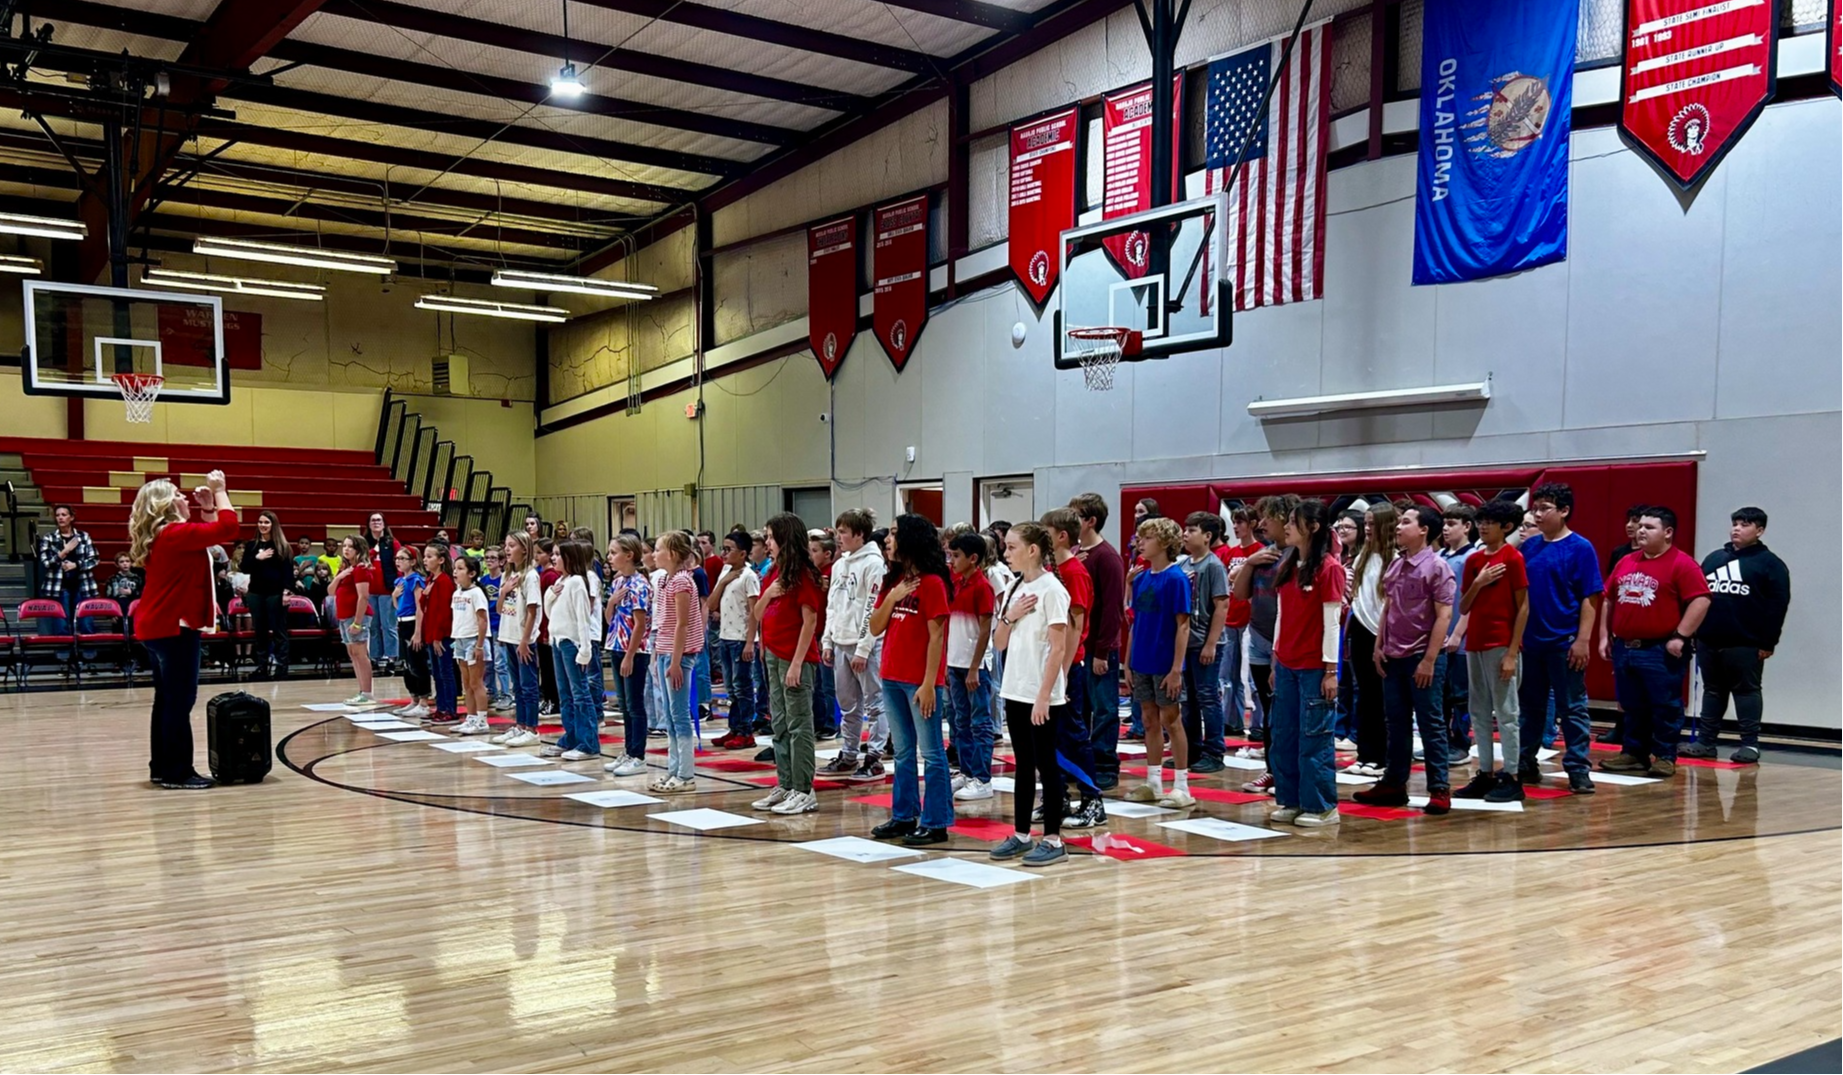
x,y
911,617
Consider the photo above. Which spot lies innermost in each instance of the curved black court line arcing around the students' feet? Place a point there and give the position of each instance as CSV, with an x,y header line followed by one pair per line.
x,y
311,770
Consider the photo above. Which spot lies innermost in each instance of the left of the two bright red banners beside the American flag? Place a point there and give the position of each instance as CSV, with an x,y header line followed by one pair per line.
x,y
1042,200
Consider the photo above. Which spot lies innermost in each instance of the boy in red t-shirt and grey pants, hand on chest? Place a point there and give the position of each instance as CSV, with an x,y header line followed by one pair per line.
x,y
1496,606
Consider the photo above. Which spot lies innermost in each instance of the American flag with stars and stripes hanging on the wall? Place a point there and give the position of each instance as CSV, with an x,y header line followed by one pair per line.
x,y
1276,230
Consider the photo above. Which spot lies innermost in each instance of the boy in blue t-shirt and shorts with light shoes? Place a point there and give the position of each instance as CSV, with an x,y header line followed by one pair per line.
x,y
1155,657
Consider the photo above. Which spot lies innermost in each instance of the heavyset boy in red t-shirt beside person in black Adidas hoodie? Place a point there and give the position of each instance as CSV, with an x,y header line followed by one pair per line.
x,y
1656,602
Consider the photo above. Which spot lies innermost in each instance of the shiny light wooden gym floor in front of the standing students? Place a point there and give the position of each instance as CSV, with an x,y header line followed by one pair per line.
x,y
386,906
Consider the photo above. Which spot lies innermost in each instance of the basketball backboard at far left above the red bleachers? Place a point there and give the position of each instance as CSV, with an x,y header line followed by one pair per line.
x,y
80,337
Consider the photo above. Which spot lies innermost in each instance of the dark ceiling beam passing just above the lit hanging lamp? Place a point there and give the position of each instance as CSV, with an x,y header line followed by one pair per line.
x,y
626,60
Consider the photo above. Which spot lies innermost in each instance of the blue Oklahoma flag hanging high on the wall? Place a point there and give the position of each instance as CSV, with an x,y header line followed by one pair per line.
x,y
1497,97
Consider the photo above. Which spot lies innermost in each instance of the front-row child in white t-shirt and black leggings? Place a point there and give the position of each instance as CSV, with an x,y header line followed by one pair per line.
x,y
1037,641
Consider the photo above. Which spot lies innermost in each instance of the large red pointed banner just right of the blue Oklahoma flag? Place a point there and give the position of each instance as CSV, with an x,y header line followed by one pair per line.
x,y
1696,77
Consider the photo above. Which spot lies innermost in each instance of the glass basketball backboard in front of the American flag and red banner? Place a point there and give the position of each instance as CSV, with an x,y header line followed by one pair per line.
x,y
1156,272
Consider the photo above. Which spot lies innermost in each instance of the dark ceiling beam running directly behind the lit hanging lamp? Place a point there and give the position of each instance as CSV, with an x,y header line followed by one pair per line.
x,y
428,75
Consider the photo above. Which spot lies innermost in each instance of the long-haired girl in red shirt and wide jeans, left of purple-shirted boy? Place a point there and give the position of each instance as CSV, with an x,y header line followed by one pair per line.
x,y
1309,591
